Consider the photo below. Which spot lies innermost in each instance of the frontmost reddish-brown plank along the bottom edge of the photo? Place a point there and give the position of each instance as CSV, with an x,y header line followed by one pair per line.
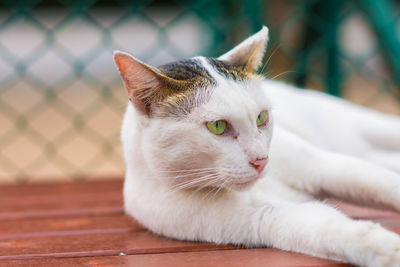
x,y
225,258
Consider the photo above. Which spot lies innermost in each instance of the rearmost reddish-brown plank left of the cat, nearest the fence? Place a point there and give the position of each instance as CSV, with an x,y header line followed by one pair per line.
x,y
57,200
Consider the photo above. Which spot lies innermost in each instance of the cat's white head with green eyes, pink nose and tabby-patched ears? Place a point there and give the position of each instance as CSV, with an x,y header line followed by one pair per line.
x,y
203,122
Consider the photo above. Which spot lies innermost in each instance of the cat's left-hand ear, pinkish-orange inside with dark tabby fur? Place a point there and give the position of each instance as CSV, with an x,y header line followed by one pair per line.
x,y
145,85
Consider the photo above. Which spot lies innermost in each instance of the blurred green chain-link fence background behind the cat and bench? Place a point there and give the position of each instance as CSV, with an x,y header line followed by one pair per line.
x,y
62,101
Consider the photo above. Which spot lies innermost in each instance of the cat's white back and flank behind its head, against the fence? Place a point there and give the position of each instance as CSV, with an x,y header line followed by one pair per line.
x,y
337,125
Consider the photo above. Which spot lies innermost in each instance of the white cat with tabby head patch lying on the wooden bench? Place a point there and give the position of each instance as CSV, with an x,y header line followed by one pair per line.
x,y
215,152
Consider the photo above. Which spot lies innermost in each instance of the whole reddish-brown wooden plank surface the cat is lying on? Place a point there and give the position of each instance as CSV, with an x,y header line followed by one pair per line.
x,y
83,224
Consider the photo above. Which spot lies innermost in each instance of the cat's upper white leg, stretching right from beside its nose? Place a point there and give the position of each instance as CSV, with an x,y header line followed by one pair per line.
x,y
328,174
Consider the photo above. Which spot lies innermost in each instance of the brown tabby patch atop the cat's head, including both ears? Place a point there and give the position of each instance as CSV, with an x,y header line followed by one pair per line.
x,y
175,89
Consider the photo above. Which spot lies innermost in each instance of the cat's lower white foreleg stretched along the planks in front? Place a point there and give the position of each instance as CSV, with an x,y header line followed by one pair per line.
x,y
257,220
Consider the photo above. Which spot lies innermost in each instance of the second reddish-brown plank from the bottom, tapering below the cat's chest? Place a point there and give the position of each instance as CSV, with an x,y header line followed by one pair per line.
x,y
104,244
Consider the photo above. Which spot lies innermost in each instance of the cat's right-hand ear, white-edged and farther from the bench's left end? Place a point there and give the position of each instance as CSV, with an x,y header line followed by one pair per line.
x,y
248,53
